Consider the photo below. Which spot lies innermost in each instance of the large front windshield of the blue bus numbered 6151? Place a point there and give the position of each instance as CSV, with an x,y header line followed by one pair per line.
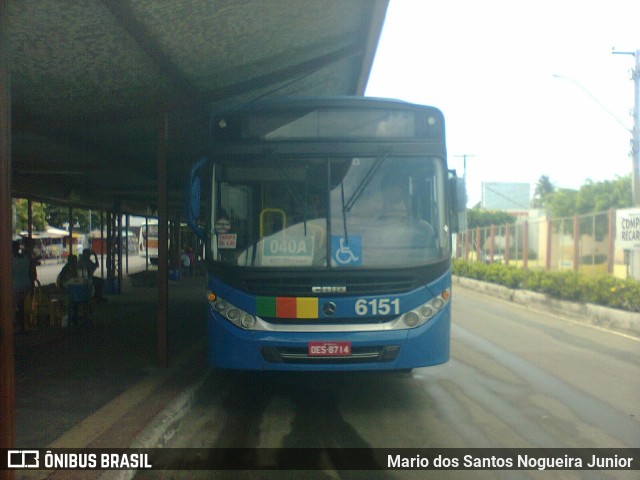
x,y
361,212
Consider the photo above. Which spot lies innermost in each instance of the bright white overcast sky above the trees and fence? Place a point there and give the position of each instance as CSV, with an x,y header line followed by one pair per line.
x,y
528,88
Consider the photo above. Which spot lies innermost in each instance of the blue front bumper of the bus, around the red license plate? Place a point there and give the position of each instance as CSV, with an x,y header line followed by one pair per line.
x,y
233,348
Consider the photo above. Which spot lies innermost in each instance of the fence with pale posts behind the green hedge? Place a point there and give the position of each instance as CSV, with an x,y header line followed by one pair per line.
x,y
584,243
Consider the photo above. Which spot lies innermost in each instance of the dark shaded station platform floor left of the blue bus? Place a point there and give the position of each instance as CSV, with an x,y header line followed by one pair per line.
x,y
99,385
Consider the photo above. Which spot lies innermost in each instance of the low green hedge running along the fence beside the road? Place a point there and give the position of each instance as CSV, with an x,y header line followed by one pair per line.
x,y
566,285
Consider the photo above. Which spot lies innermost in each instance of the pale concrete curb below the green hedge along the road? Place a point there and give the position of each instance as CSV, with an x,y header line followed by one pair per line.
x,y
605,317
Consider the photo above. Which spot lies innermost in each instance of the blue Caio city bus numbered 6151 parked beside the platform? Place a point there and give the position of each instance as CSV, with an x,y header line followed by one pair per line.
x,y
327,224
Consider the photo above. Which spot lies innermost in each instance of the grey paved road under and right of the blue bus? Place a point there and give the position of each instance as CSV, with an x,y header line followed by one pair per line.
x,y
516,379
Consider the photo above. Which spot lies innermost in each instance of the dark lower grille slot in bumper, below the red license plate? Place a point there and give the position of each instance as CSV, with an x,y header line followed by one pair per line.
x,y
299,355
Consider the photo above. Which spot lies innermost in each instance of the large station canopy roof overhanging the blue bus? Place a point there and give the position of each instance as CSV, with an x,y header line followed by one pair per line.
x,y
91,81
